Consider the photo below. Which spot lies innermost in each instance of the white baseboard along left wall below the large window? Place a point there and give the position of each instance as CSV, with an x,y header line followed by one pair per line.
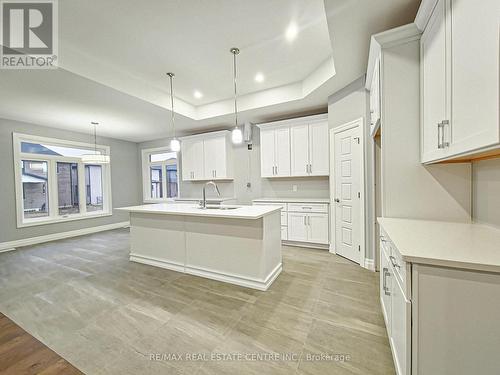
x,y
12,245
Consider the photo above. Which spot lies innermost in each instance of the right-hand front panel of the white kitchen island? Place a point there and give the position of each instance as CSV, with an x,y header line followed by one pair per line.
x,y
230,250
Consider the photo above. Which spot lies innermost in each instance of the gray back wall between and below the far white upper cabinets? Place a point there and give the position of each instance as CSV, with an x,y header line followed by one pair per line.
x,y
247,169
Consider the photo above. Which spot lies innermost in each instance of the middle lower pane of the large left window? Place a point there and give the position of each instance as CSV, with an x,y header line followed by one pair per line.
x,y
67,188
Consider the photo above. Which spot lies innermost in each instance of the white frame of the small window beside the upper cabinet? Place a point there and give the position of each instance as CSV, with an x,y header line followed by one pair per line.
x,y
146,175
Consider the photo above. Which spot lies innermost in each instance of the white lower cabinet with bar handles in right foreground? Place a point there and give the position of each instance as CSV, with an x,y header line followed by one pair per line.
x,y
439,320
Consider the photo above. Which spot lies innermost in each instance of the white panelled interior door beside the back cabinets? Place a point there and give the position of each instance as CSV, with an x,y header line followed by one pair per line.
x,y
348,189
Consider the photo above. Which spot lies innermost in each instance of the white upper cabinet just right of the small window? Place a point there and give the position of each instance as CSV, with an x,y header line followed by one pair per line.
x,y
207,157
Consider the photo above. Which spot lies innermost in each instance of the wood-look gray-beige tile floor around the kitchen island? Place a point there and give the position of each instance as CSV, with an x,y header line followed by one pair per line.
x,y
105,315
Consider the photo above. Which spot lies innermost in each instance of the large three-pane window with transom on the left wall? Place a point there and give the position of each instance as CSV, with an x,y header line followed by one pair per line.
x,y
53,184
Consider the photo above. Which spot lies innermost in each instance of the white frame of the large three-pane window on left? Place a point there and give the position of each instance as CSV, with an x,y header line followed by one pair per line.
x,y
52,182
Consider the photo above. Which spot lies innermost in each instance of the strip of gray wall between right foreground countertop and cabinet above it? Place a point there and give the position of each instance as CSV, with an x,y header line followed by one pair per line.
x,y
486,192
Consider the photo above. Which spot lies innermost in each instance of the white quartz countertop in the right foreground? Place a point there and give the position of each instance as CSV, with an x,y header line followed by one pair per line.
x,y
460,245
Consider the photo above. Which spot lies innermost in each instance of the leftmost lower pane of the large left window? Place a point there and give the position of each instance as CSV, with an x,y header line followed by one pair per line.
x,y
35,188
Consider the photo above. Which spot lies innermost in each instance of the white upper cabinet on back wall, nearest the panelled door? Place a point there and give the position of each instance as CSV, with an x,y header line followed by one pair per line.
x,y
297,147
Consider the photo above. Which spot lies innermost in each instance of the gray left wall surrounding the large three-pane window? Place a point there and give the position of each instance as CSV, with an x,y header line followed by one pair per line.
x,y
125,180
